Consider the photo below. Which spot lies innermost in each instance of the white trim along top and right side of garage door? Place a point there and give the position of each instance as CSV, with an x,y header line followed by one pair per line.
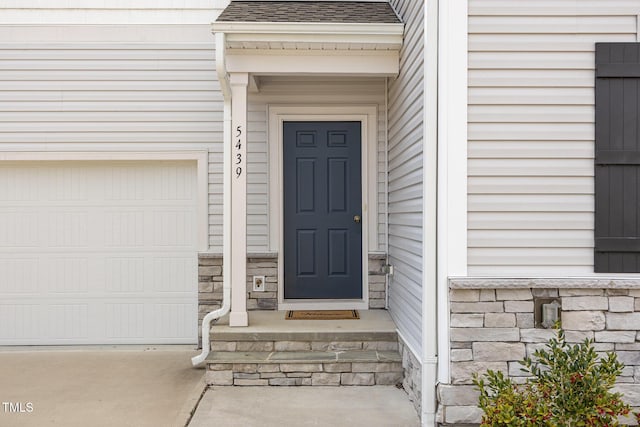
x,y
200,157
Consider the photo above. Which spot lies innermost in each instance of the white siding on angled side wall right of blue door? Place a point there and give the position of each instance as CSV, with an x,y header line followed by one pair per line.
x,y
406,103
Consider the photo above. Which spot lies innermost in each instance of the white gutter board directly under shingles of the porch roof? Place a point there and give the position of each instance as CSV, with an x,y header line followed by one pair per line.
x,y
321,32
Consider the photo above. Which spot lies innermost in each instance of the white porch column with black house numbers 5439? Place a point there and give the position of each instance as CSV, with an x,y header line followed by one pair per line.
x,y
238,170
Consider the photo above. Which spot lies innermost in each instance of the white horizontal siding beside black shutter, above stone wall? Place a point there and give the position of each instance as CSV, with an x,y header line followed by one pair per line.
x,y
531,132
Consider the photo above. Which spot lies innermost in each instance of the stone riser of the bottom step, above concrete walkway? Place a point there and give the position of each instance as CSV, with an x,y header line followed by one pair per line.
x,y
305,374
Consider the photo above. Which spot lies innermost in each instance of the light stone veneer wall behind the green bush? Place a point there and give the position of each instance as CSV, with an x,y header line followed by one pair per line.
x,y
492,327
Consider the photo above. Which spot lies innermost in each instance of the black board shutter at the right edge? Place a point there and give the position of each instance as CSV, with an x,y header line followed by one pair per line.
x,y
617,158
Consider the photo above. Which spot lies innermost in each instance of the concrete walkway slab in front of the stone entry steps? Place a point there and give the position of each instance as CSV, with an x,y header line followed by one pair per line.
x,y
383,406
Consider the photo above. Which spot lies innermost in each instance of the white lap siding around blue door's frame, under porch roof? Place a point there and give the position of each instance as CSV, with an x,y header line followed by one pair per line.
x,y
302,91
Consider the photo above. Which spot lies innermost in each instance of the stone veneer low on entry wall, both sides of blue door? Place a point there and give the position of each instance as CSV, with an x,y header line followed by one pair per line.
x,y
266,264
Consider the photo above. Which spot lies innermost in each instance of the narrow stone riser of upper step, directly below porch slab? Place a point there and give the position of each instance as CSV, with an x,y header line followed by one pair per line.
x,y
242,346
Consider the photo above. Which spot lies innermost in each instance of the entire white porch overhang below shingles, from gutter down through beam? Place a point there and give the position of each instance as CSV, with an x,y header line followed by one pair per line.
x,y
277,48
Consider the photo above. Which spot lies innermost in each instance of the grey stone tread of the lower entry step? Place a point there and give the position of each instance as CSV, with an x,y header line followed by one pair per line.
x,y
265,357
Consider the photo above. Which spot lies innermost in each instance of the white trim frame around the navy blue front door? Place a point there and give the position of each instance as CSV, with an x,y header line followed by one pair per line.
x,y
367,115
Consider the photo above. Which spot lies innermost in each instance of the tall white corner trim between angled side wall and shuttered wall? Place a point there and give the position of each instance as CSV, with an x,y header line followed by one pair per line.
x,y
452,163
